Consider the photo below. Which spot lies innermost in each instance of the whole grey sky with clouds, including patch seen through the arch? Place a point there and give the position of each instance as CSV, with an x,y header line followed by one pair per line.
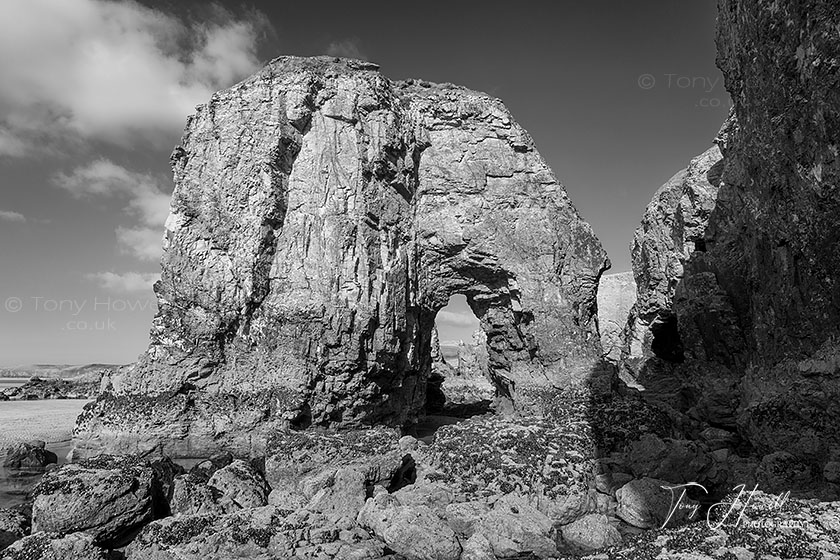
x,y
617,95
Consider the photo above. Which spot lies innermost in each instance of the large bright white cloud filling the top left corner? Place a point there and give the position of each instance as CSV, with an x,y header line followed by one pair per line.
x,y
114,71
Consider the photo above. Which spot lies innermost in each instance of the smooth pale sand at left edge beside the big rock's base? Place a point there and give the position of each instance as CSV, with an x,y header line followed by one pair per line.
x,y
49,420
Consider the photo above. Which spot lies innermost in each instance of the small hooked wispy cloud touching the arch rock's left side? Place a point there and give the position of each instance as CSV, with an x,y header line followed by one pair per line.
x,y
143,197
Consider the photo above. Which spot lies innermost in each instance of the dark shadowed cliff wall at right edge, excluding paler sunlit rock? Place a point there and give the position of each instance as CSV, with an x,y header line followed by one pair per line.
x,y
781,62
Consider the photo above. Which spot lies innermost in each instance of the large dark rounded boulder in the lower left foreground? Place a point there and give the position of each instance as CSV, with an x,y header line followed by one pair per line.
x,y
108,497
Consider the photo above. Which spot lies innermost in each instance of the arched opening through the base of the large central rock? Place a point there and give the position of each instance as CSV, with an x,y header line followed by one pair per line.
x,y
459,385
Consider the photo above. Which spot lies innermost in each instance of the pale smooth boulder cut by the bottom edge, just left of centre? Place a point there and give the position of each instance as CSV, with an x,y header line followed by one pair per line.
x,y
414,532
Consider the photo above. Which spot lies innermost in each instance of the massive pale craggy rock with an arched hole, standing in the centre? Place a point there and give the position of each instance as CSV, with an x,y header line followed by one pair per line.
x,y
322,215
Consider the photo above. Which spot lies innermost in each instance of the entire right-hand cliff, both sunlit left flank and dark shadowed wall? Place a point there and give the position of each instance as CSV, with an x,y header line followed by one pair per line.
x,y
743,323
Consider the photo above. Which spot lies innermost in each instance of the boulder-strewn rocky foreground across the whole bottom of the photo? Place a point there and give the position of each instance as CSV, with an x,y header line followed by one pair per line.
x,y
488,487
